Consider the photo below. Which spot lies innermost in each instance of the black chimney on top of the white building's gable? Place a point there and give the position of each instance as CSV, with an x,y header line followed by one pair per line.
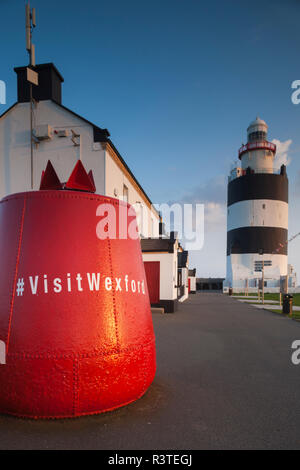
x,y
49,87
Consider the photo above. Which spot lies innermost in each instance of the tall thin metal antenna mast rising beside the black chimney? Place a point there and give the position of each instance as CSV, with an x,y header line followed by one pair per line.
x,y
31,76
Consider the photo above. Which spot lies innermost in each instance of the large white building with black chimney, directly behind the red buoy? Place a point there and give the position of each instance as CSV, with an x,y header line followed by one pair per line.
x,y
63,137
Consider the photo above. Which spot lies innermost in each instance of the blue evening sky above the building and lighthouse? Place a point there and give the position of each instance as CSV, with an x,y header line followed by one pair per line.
x,y
176,83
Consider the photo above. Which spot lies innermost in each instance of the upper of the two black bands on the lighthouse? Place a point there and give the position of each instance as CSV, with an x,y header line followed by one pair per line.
x,y
258,186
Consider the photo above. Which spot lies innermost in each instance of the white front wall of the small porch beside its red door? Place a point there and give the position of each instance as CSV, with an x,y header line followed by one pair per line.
x,y
168,273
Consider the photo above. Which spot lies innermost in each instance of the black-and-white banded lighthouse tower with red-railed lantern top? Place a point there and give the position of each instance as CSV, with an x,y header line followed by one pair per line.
x,y
257,214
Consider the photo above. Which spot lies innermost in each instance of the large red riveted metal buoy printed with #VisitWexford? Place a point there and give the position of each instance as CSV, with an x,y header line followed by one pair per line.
x,y
74,309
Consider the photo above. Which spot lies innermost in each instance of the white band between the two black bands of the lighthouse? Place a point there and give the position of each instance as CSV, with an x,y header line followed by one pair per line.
x,y
257,213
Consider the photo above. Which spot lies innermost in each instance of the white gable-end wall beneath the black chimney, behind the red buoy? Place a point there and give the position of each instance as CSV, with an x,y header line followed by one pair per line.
x,y
15,148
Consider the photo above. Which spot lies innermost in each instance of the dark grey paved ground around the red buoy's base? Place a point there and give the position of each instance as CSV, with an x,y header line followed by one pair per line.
x,y
224,380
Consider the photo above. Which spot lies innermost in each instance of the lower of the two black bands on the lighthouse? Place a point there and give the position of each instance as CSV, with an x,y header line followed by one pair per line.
x,y
254,239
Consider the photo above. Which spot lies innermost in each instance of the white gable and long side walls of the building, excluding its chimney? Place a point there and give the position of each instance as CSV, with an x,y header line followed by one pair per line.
x,y
15,168
